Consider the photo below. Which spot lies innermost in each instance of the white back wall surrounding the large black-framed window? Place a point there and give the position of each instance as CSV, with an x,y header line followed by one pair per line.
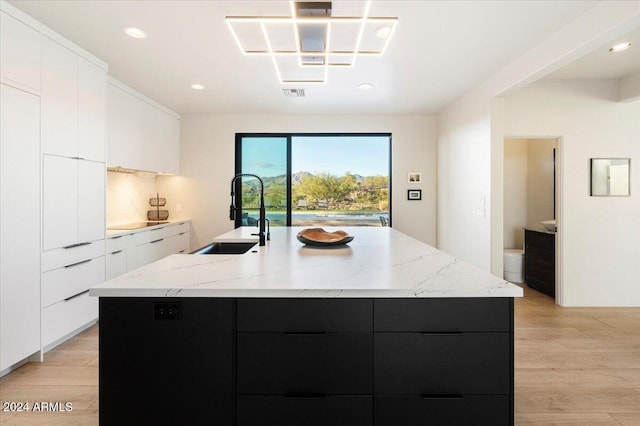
x,y
207,165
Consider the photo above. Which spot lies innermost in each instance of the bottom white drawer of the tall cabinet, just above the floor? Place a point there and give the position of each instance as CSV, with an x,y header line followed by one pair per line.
x,y
64,317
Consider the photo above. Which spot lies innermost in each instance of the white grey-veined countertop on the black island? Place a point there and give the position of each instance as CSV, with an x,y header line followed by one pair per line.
x,y
379,262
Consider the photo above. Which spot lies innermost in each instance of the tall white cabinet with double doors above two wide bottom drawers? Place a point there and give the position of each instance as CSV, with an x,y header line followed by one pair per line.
x,y
73,127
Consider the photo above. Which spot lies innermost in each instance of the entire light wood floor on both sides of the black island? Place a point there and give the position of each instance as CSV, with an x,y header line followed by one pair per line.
x,y
574,366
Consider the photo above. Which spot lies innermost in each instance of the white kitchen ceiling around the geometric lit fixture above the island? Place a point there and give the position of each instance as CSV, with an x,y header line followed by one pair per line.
x,y
439,50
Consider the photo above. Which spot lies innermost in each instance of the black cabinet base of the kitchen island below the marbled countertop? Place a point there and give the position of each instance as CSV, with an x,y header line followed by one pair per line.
x,y
307,361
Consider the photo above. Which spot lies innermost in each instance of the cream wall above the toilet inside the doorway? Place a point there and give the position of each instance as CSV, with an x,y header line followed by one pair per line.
x,y
515,191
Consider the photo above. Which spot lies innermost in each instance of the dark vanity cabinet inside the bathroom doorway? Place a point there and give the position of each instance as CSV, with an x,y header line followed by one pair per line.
x,y
540,261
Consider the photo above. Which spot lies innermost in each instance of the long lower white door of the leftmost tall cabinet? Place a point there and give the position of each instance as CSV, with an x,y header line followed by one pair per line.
x,y
19,224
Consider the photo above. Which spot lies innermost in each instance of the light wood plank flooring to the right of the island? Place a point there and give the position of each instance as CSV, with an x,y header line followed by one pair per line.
x,y
576,366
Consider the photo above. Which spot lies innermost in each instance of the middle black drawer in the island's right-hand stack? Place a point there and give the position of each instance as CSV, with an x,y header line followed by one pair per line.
x,y
466,363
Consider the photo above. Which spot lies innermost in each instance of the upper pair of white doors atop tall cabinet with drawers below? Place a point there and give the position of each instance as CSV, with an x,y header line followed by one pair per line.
x,y
73,104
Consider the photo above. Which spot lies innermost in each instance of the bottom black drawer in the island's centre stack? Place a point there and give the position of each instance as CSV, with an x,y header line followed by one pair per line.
x,y
291,411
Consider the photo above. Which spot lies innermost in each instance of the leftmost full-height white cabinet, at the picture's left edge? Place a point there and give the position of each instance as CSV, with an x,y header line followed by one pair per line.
x,y
19,191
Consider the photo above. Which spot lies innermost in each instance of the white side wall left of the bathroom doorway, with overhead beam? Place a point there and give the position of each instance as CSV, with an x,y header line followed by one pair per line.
x,y
473,126
